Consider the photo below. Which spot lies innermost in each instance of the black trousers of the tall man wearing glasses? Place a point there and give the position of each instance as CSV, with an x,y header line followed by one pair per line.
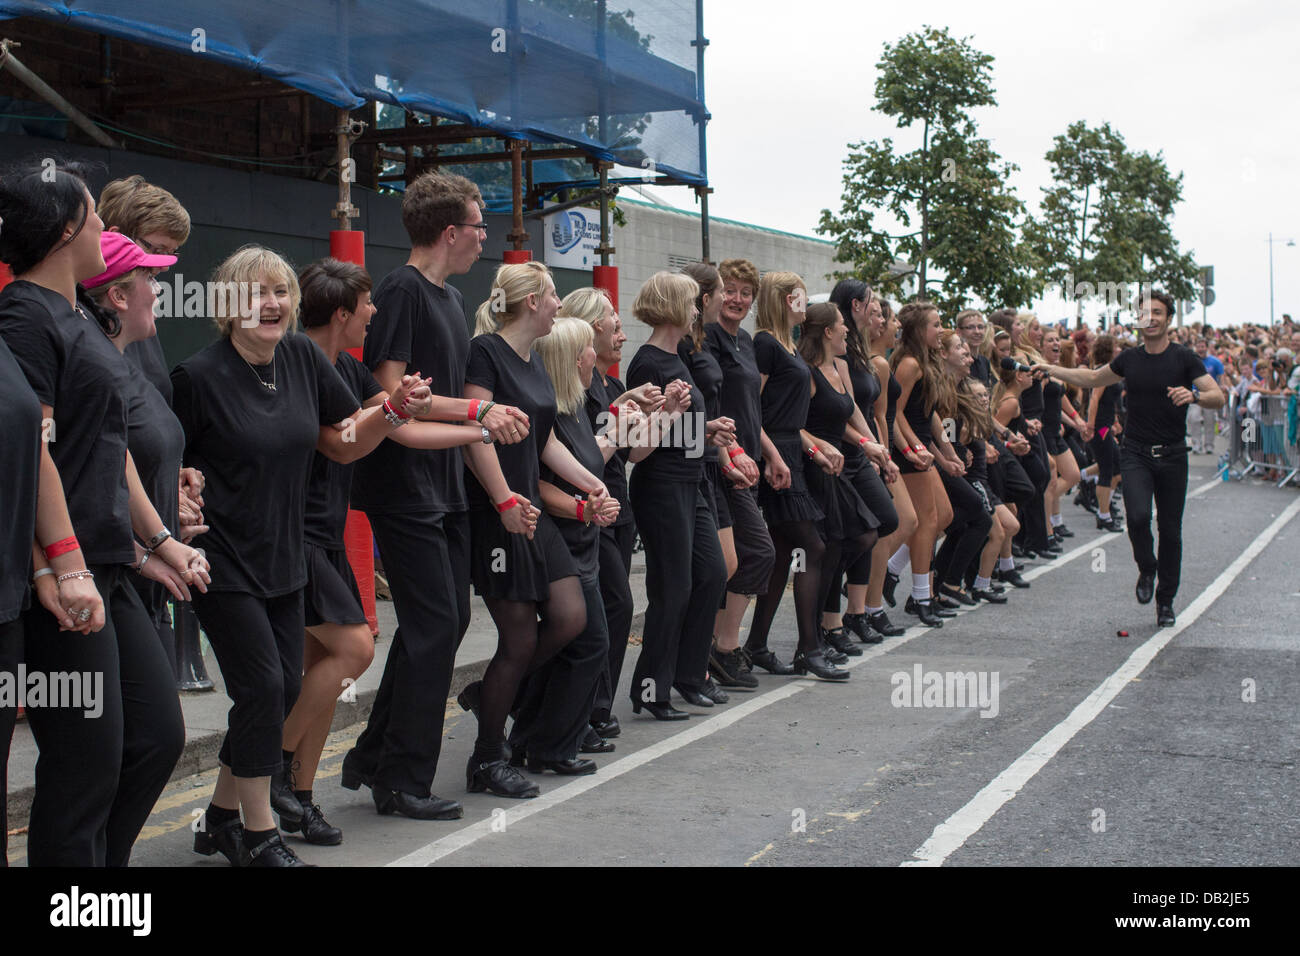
x,y
427,560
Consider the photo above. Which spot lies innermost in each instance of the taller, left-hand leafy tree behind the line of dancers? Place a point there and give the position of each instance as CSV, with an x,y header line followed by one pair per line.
x,y
954,187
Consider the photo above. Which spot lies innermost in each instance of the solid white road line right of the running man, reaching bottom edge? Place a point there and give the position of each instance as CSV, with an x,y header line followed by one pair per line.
x,y
968,821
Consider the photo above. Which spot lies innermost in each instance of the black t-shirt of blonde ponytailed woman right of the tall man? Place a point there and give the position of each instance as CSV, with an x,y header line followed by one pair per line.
x,y
497,367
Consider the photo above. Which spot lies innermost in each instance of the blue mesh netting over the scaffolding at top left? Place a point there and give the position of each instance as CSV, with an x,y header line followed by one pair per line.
x,y
619,84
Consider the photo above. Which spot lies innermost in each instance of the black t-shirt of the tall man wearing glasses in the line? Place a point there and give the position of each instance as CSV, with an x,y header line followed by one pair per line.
x,y
423,326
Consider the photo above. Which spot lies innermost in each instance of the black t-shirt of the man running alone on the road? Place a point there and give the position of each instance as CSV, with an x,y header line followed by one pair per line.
x,y
1154,419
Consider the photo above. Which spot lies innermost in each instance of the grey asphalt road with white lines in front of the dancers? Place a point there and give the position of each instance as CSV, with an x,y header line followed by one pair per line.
x,y
1188,758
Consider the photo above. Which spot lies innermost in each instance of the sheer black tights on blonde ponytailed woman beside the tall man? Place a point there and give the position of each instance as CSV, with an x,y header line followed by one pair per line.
x,y
523,646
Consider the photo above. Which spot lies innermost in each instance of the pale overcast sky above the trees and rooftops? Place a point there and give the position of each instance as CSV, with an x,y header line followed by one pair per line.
x,y
1212,85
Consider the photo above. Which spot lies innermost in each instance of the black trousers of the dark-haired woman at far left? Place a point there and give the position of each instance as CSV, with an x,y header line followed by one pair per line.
x,y
98,777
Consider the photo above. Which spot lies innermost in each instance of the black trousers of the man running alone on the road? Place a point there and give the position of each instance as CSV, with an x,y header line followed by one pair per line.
x,y
1165,481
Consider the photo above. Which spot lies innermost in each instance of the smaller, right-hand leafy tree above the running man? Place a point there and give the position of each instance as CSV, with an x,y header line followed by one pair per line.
x,y
1104,227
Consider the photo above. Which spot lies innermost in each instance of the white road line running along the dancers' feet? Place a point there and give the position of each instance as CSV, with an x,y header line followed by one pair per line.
x,y
466,837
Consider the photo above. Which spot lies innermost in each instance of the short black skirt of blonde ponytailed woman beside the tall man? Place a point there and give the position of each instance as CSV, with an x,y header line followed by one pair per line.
x,y
510,568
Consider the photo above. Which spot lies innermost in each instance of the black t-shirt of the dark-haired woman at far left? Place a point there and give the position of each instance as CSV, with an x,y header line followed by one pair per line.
x,y
71,366
